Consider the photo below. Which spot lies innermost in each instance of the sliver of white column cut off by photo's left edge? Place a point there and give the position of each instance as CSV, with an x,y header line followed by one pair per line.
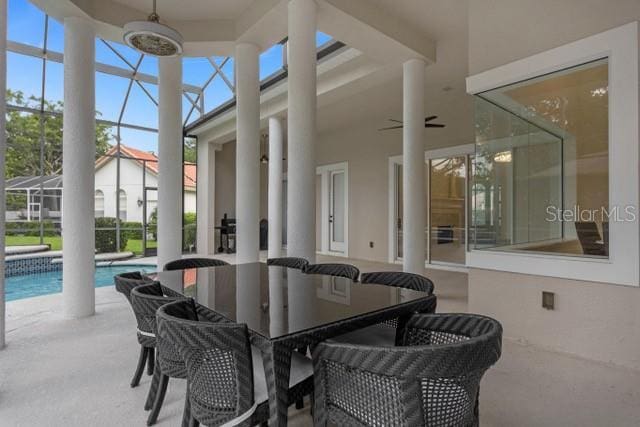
x,y
3,146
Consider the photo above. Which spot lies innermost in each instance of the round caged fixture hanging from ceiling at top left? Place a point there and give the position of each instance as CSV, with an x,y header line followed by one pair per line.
x,y
153,38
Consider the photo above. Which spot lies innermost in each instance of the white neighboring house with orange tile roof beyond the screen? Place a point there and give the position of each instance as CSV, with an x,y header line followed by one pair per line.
x,y
133,165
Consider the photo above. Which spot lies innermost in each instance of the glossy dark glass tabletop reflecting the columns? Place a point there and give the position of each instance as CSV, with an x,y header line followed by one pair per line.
x,y
276,301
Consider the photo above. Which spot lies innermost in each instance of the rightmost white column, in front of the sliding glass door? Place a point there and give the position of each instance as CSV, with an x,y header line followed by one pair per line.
x,y
414,209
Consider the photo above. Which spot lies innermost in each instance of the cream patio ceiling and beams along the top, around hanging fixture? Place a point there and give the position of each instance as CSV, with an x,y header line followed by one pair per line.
x,y
214,27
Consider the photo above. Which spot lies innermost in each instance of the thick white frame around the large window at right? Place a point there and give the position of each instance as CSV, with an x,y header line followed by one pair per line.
x,y
620,46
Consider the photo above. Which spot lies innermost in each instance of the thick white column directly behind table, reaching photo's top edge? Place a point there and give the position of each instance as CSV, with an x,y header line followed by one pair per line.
x,y
301,172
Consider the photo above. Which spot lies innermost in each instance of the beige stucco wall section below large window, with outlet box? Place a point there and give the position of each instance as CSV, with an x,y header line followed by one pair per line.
x,y
591,320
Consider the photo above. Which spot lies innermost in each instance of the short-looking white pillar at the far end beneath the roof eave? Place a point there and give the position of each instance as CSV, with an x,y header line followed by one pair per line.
x,y
206,189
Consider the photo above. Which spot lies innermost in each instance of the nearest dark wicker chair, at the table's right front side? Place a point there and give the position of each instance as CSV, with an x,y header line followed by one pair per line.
x,y
432,380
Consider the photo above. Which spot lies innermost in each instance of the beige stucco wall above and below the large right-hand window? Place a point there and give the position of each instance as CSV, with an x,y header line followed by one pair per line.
x,y
593,320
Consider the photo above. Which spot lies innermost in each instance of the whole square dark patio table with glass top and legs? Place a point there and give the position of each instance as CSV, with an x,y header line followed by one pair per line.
x,y
286,310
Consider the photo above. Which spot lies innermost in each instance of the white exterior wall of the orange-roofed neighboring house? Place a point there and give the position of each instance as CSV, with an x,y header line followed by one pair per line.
x,y
131,183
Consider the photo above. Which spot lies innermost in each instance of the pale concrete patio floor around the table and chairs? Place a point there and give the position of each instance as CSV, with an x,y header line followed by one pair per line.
x,y
59,372
